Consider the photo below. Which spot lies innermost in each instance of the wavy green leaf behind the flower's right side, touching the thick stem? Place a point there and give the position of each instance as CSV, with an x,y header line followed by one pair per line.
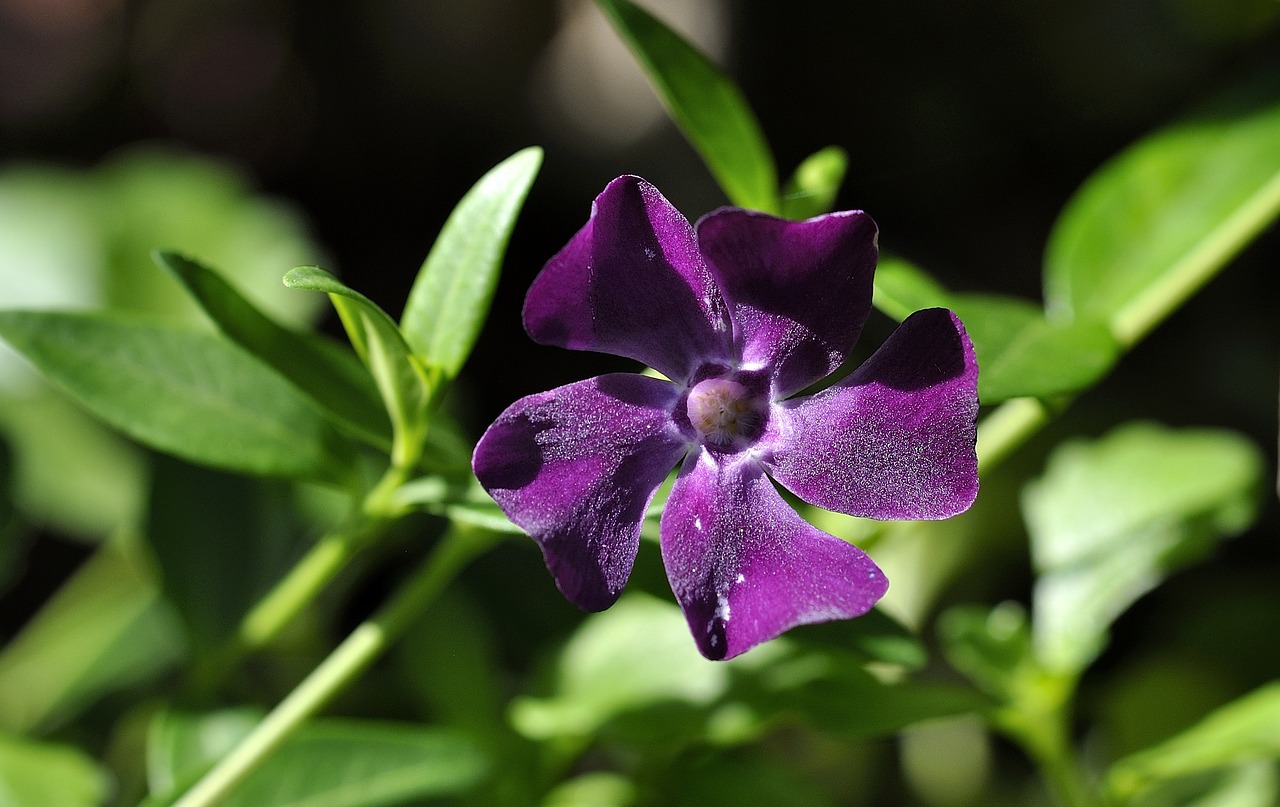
x,y
1020,352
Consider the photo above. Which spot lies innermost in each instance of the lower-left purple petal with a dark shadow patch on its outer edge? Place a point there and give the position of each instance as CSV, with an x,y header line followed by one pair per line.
x,y
577,468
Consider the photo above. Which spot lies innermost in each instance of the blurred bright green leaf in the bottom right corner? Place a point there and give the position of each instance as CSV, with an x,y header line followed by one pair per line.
x,y
1245,731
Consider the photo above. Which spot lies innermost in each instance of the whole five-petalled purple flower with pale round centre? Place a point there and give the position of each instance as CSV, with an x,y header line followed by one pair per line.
x,y
740,313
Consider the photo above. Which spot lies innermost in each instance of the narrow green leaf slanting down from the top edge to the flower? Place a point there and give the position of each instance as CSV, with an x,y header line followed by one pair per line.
x,y
706,104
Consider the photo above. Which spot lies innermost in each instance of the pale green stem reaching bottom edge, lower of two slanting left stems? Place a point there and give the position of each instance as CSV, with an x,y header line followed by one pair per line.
x,y
342,667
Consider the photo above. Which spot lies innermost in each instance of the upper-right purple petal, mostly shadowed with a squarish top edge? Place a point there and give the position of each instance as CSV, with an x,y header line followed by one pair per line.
x,y
798,291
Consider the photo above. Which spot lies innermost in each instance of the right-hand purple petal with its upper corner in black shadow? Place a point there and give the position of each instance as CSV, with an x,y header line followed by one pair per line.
x,y
897,439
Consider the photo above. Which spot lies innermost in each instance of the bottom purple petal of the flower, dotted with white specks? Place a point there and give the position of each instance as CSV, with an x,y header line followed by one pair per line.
x,y
746,567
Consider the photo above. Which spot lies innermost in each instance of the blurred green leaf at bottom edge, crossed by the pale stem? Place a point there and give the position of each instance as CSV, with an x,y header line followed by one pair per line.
x,y
324,764
